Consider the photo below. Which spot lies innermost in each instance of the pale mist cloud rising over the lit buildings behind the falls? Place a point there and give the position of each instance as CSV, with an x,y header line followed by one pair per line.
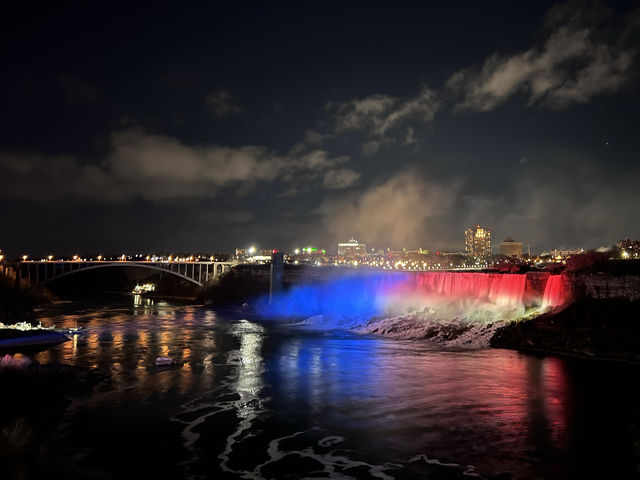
x,y
573,198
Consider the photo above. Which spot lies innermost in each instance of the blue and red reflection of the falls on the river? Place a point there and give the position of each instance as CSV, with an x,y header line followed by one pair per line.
x,y
411,399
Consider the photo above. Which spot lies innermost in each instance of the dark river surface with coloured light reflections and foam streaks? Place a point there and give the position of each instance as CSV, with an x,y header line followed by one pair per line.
x,y
260,400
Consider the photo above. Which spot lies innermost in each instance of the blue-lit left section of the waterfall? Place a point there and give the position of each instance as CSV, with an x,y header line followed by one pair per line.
x,y
356,294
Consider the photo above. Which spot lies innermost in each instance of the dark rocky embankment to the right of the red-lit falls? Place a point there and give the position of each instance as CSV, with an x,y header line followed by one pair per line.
x,y
602,320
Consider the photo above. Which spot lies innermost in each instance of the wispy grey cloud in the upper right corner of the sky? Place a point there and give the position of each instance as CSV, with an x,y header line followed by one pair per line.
x,y
577,61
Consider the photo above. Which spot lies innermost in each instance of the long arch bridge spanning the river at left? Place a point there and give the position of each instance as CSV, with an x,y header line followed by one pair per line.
x,y
200,273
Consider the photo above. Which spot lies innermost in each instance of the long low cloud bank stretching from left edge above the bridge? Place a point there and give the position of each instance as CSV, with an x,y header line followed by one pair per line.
x,y
161,168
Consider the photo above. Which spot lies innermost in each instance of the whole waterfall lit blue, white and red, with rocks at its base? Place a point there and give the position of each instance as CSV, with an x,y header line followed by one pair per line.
x,y
453,309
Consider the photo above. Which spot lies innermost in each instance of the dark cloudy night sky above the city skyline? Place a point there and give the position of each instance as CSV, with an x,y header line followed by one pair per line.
x,y
212,126
